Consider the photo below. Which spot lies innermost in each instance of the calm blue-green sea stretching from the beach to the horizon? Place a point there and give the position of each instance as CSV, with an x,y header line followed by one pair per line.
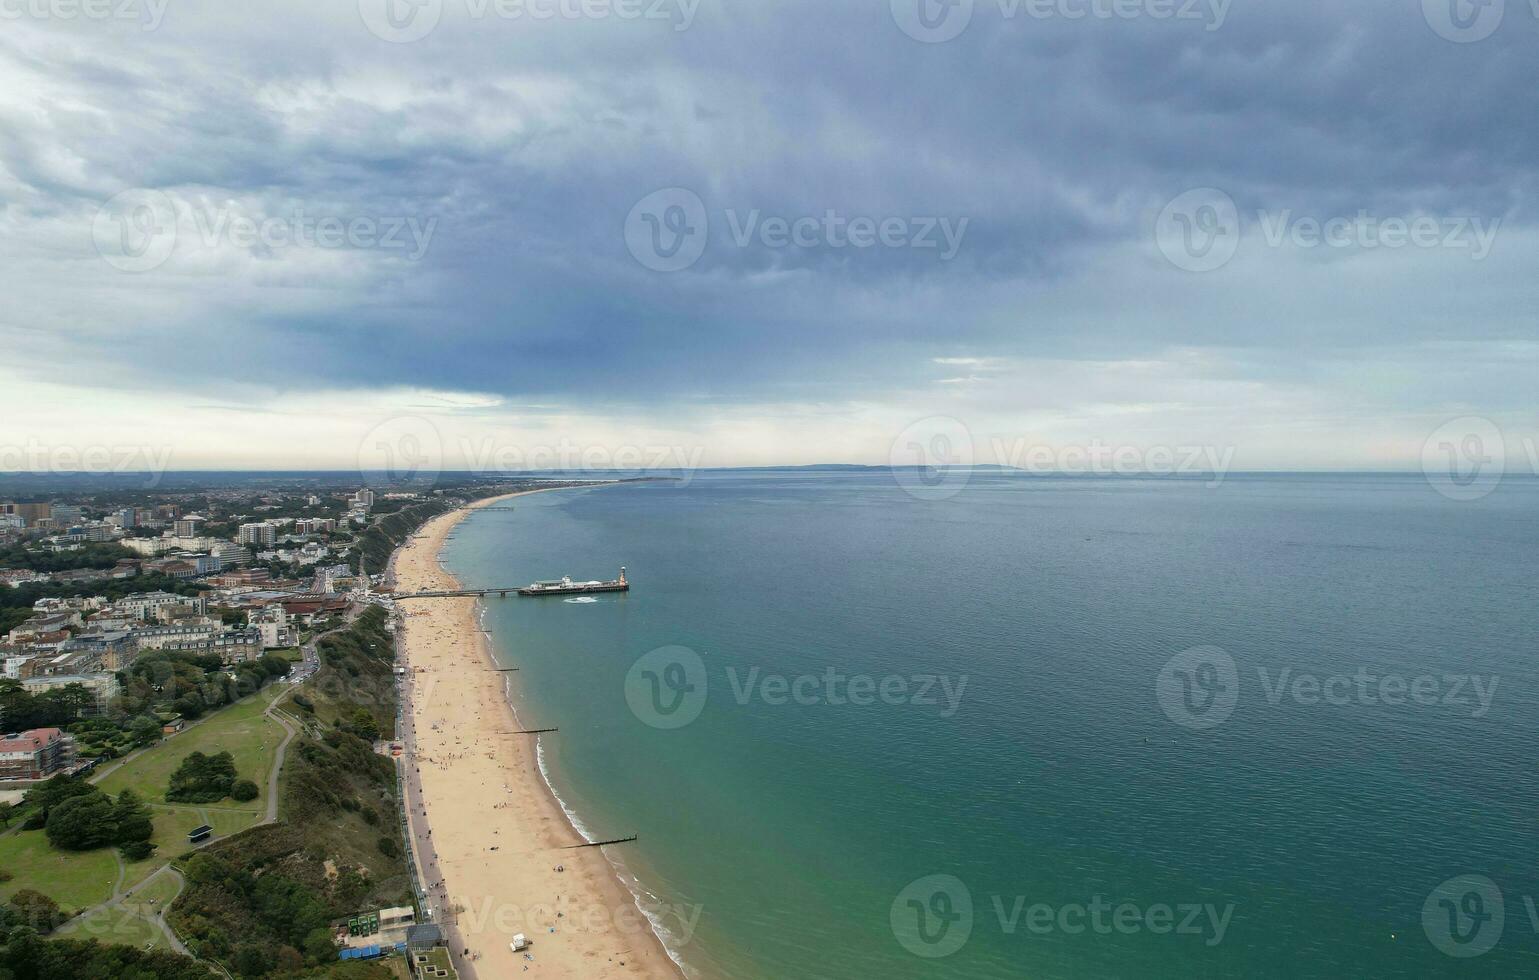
x,y
1060,776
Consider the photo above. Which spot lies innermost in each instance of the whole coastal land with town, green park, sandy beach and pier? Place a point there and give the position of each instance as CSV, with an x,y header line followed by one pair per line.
x,y
212,681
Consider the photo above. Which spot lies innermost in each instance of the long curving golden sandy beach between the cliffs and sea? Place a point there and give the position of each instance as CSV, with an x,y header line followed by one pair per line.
x,y
486,828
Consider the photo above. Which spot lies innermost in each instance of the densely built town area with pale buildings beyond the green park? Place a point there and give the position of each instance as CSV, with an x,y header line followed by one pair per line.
x,y
221,575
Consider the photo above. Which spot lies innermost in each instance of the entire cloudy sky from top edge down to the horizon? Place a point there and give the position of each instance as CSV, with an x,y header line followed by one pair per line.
x,y
509,233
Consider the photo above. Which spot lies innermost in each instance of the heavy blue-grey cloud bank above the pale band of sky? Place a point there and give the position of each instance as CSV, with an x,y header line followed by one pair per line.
x,y
1057,141
